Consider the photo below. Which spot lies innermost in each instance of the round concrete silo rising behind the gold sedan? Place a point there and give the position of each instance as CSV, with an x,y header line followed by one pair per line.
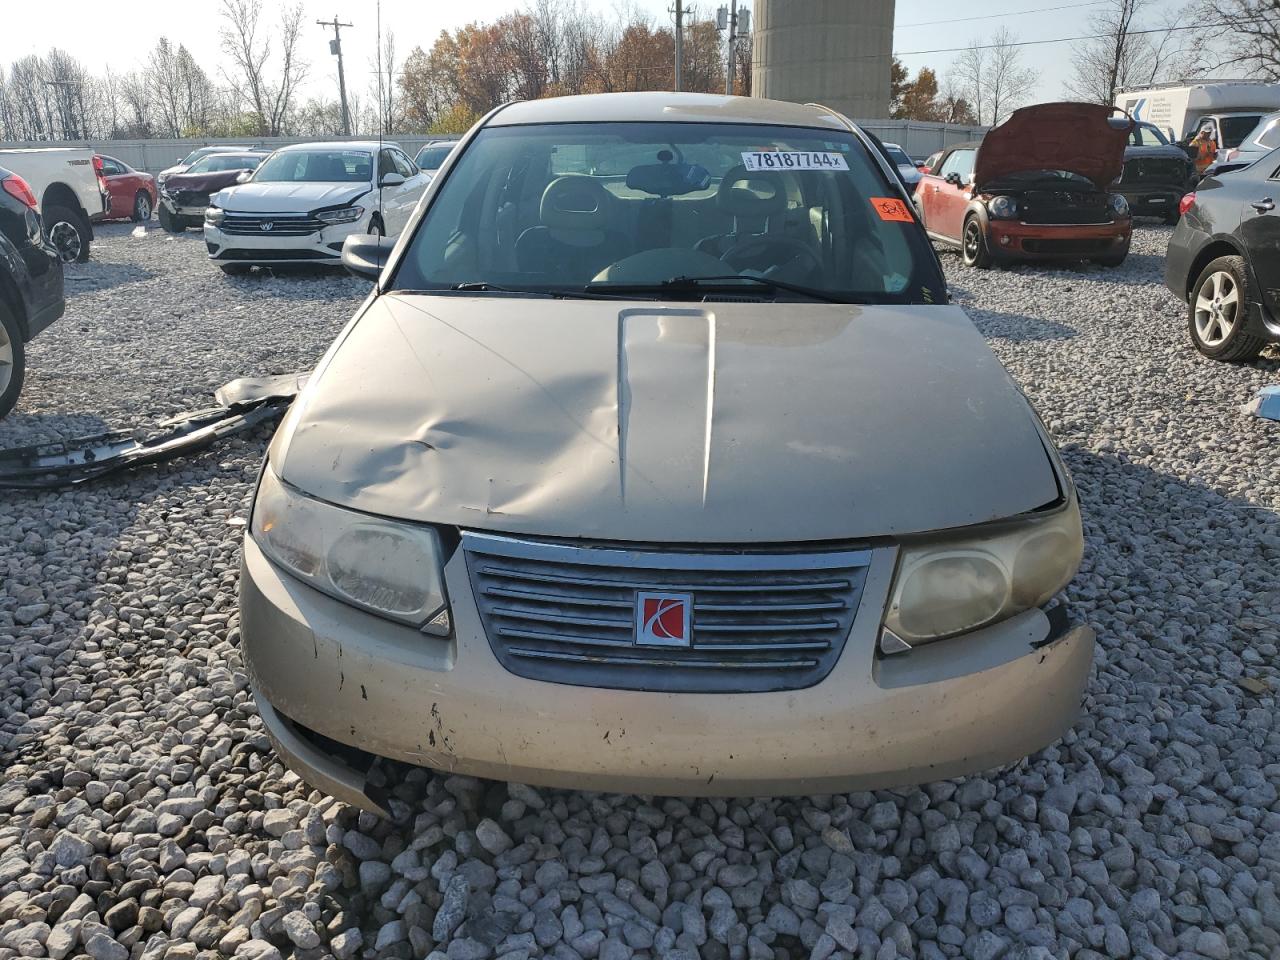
x,y
838,53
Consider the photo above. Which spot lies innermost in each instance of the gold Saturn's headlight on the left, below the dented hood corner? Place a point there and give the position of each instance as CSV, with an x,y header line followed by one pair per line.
x,y
382,566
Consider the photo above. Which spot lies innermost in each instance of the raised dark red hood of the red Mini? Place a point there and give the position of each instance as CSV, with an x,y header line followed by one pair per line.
x,y
1080,139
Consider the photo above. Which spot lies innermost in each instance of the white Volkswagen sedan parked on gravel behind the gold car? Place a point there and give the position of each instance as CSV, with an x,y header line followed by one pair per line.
x,y
304,202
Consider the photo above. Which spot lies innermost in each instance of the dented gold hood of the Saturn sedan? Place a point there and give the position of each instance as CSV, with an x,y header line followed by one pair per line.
x,y
666,423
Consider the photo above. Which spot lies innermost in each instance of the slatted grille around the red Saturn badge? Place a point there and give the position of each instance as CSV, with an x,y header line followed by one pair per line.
x,y
760,621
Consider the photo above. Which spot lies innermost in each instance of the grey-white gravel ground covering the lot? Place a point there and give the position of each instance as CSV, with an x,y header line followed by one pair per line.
x,y
144,816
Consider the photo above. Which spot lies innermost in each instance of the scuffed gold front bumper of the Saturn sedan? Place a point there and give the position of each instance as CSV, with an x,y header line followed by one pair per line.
x,y
321,668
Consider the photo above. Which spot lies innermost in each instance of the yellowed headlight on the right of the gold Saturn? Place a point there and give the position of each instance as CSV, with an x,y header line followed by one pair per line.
x,y
948,588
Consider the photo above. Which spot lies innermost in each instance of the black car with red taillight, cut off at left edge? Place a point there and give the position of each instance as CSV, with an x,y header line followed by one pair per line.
x,y
31,282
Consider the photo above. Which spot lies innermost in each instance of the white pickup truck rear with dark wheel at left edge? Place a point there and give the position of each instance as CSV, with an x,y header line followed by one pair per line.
x,y
71,194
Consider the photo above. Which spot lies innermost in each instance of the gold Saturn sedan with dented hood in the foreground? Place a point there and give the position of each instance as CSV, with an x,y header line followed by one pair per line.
x,y
657,461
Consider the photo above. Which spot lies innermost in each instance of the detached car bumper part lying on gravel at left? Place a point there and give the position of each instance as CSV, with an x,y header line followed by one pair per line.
x,y
243,405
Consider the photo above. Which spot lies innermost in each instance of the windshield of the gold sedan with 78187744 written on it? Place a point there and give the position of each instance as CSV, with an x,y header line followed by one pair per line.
x,y
554,208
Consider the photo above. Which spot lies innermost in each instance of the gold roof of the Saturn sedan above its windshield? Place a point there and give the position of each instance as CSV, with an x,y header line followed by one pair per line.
x,y
666,108
